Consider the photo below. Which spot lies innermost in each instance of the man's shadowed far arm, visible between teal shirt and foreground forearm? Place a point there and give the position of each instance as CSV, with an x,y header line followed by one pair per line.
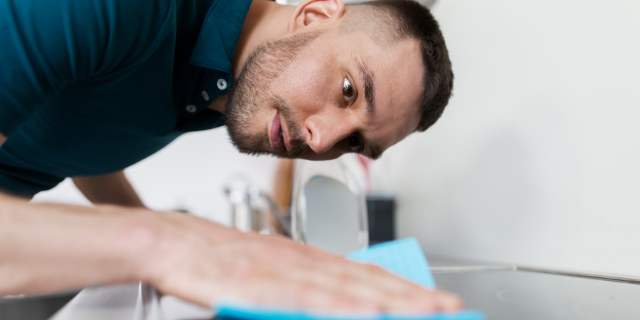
x,y
111,188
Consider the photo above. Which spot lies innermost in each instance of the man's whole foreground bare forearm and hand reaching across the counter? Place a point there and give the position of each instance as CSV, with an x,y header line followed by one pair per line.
x,y
46,248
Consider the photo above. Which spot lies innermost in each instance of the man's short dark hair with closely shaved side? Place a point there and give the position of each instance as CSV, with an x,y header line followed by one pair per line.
x,y
409,19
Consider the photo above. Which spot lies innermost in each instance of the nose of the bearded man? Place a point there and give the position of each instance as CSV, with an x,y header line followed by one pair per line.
x,y
323,132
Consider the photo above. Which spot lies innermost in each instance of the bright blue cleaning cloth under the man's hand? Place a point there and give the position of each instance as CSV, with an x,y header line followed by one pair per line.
x,y
402,257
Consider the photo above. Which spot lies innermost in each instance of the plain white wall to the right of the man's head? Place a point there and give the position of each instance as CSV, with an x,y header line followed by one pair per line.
x,y
536,161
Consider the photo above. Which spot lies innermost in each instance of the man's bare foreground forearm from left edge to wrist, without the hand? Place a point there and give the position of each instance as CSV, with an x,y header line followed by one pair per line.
x,y
47,248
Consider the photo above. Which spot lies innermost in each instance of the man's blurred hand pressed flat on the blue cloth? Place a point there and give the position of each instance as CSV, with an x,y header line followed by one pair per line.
x,y
204,262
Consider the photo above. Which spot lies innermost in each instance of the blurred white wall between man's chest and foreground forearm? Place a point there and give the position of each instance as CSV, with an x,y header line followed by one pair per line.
x,y
190,174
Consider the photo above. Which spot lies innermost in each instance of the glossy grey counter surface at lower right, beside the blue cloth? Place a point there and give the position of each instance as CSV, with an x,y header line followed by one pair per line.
x,y
508,294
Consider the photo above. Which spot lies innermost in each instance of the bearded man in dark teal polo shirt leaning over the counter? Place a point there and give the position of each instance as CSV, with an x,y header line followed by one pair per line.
x,y
89,87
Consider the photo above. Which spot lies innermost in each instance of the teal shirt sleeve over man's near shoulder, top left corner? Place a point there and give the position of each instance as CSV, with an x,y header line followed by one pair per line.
x,y
46,45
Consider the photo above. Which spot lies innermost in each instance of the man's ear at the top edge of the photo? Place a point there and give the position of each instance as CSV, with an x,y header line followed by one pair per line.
x,y
309,12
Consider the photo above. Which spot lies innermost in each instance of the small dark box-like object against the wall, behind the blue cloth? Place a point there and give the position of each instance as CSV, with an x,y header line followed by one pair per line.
x,y
382,218
